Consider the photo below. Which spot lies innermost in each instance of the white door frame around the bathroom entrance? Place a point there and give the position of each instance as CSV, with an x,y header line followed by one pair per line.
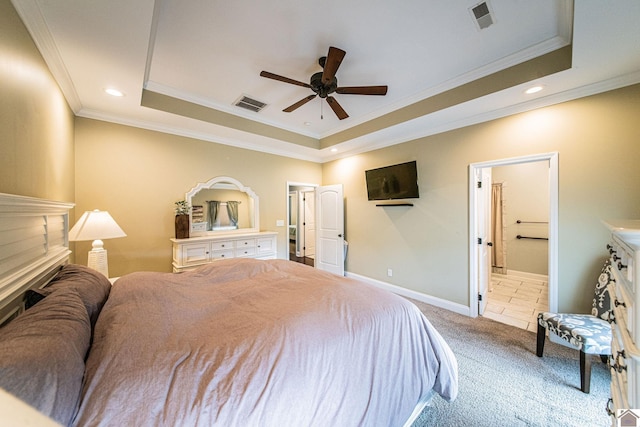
x,y
475,204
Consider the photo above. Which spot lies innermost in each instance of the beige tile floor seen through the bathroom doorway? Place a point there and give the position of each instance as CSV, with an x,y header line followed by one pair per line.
x,y
516,301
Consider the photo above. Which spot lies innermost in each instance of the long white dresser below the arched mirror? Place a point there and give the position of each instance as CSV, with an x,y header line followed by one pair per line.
x,y
196,251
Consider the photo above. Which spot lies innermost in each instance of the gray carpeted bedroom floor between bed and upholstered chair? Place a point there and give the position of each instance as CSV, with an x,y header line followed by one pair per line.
x,y
503,383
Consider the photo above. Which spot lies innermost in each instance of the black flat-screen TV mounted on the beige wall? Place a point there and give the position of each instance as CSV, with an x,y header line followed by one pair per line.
x,y
393,182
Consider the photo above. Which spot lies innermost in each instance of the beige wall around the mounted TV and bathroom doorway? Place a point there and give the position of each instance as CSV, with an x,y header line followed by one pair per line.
x,y
598,141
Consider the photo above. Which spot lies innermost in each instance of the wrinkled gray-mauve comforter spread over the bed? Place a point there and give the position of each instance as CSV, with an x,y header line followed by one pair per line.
x,y
244,342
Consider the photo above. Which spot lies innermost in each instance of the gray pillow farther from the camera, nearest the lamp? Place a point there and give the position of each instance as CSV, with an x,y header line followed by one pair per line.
x,y
92,286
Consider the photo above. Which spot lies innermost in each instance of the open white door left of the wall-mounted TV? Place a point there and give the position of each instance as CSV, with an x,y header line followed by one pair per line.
x,y
330,229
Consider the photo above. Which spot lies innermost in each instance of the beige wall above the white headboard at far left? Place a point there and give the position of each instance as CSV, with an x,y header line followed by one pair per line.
x,y
36,124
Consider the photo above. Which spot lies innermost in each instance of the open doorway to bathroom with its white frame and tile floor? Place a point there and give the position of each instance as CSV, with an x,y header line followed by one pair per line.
x,y
513,238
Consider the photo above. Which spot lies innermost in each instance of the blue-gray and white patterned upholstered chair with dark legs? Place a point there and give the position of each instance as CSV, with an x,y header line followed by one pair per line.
x,y
590,334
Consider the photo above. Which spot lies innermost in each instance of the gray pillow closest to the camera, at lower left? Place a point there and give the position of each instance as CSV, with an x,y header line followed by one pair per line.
x,y
42,353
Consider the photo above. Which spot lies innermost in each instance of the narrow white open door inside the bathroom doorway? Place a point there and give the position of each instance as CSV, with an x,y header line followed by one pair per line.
x,y
484,236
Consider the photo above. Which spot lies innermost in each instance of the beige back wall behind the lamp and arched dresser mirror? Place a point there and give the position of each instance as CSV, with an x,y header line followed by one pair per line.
x,y
137,175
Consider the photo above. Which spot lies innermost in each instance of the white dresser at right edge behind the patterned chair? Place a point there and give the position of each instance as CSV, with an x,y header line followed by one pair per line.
x,y
624,249
